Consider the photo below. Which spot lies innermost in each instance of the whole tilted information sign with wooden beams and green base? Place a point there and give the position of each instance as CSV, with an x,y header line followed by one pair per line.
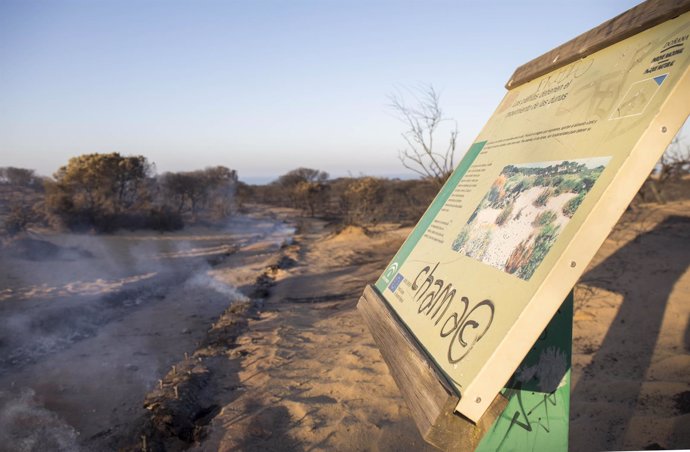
x,y
469,315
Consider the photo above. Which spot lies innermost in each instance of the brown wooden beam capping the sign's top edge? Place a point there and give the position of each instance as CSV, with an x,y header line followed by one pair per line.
x,y
631,22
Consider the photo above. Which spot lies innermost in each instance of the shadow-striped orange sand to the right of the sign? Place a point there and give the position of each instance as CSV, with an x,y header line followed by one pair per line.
x,y
631,349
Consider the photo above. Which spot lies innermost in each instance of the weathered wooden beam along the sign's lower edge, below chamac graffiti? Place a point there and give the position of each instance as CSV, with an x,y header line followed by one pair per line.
x,y
428,395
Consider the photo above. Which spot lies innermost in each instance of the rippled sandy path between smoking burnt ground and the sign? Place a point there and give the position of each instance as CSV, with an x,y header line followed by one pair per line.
x,y
312,377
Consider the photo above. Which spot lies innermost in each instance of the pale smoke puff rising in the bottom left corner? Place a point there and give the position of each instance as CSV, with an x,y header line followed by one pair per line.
x,y
26,426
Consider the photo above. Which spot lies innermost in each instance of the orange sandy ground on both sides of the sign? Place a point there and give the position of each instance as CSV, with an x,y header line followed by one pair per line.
x,y
312,378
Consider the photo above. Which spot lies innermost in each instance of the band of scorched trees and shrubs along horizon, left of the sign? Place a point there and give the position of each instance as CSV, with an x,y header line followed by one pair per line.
x,y
105,192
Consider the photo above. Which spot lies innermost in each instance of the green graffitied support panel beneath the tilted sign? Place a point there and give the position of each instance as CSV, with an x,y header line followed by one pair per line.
x,y
538,393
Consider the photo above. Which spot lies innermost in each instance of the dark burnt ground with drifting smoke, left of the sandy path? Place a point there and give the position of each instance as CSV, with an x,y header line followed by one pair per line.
x,y
88,324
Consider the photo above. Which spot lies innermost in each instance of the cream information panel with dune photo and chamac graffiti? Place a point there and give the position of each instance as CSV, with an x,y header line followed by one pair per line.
x,y
562,156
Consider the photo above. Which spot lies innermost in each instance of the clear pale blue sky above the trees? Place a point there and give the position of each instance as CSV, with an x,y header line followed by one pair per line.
x,y
262,87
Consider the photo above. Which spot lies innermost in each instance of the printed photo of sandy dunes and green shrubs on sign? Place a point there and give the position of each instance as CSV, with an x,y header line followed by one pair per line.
x,y
527,207
